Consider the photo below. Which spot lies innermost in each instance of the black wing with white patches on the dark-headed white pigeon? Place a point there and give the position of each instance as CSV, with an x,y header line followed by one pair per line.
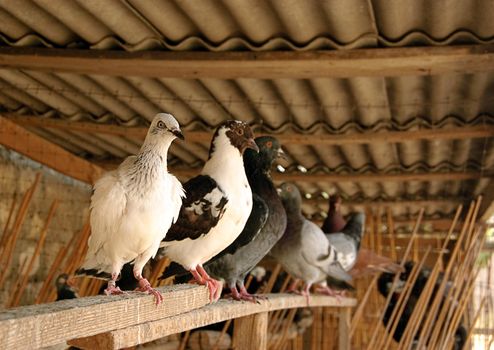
x,y
203,207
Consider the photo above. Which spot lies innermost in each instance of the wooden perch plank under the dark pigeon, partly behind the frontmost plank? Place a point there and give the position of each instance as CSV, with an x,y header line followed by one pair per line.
x,y
221,311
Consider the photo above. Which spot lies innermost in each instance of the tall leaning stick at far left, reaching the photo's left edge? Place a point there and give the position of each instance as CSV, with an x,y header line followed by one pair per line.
x,y
14,235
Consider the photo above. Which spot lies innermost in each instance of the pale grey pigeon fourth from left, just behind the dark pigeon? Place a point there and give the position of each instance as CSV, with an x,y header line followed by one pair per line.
x,y
304,251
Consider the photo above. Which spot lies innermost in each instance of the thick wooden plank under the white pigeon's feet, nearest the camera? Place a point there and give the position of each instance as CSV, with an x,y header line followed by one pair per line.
x,y
36,326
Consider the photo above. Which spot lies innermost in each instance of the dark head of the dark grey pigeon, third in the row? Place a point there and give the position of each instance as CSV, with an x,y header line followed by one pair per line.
x,y
269,150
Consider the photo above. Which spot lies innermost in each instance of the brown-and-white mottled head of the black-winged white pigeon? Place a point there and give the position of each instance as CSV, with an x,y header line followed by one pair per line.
x,y
235,133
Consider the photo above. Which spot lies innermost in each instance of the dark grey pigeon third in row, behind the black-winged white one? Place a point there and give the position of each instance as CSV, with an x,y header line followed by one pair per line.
x,y
266,224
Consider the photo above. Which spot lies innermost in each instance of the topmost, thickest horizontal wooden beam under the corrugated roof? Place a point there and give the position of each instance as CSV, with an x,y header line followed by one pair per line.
x,y
258,65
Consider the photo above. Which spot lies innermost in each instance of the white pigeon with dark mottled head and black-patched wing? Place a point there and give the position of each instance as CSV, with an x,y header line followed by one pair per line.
x,y
218,204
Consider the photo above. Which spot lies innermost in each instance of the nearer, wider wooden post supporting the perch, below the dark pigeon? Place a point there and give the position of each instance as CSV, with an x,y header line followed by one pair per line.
x,y
251,332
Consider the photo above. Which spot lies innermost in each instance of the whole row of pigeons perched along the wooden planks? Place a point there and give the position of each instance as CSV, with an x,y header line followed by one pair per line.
x,y
217,226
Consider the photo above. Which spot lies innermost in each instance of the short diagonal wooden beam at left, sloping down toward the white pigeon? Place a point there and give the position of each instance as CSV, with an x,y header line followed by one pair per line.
x,y
37,148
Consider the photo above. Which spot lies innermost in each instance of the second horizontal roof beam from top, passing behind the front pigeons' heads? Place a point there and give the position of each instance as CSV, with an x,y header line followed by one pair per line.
x,y
464,132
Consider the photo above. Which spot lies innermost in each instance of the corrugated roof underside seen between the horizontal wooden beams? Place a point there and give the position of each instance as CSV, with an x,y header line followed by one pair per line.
x,y
321,106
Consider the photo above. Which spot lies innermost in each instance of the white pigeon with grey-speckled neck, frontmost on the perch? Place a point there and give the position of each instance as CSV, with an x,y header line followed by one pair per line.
x,y
132,209
